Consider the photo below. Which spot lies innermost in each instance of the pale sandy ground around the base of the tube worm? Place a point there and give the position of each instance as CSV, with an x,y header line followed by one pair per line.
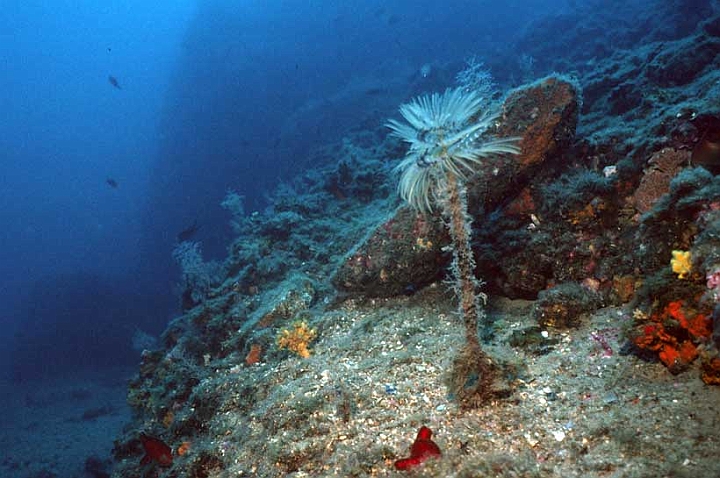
x,y
581,408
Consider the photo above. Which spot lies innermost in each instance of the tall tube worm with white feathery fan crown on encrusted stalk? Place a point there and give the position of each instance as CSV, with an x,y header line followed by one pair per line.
x,y
445,133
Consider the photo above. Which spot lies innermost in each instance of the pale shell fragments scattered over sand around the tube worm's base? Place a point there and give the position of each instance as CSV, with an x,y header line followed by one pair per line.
x,y
577,412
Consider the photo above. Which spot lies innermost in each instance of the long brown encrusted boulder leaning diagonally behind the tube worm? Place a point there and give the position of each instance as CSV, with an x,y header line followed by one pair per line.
x,y
405,252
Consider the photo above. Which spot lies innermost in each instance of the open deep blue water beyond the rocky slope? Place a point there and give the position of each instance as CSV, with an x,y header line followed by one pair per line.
x,y
215,95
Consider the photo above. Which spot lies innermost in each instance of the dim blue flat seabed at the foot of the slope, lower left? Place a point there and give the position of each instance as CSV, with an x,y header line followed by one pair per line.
x,y
51,428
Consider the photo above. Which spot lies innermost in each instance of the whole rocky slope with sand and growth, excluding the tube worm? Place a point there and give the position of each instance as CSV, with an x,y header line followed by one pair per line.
x,y
326,345
